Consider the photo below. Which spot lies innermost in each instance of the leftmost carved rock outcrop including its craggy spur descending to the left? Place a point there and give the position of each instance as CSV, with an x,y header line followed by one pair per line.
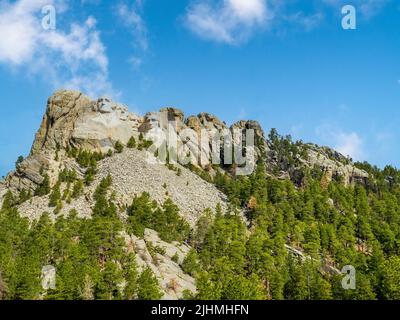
x,y
72,120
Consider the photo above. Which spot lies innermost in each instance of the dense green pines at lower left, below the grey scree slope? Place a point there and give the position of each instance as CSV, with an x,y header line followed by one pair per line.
x,y
89,255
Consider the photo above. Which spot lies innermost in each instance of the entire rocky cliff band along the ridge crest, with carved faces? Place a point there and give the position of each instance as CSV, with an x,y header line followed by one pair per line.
x,y
72,120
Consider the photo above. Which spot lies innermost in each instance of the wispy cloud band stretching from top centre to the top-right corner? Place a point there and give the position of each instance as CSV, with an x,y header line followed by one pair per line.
x,y
235,21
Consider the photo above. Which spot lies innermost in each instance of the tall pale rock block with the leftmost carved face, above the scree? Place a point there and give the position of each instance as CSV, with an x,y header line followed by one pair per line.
x,y
72,119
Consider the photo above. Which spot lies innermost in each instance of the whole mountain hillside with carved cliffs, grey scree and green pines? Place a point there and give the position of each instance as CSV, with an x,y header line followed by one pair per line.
x,y
115,222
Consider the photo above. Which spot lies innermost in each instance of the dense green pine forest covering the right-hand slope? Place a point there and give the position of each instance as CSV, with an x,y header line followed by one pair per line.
x,y
333,225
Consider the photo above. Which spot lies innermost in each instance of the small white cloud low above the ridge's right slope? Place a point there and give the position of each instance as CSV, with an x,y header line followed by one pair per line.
x,y
347,143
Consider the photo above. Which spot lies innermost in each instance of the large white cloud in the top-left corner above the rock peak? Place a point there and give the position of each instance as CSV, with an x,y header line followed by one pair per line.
x,y
75,59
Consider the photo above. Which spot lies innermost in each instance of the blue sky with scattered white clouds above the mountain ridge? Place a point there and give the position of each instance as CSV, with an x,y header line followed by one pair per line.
x,y
288,64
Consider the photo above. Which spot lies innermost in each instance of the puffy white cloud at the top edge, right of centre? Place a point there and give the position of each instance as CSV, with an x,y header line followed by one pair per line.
x,y
227,21
